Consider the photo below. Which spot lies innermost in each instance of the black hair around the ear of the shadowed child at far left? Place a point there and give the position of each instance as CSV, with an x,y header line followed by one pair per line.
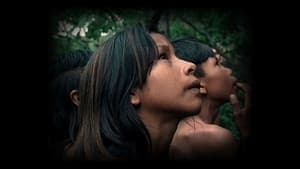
x,y
63,112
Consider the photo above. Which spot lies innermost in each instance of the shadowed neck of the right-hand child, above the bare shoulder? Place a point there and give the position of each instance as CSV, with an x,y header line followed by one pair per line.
x,y
209,110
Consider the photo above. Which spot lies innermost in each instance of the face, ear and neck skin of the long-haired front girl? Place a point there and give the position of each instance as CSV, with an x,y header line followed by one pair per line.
x,y
170,93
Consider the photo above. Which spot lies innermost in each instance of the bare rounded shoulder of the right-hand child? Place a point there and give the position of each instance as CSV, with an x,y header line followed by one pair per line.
x,y
195,138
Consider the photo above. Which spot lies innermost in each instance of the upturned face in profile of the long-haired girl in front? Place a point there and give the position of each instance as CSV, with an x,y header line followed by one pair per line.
x,y
170,85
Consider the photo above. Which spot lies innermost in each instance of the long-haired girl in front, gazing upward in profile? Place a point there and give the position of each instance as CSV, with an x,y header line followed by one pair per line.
x,y
133,92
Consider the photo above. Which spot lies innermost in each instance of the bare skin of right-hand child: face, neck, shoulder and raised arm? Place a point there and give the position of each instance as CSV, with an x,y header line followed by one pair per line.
x,y
197,136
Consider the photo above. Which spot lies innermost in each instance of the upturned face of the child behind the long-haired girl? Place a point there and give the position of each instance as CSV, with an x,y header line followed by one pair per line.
x,y
219,80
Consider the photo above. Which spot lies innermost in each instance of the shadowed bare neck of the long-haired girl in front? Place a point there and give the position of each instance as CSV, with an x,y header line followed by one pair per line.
x,y
161,130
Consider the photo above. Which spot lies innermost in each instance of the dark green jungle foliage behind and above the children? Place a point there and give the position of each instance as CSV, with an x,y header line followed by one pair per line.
x,y
227,30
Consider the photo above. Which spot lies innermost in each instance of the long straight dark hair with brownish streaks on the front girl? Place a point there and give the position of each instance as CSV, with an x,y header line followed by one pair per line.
x,y
110,126
